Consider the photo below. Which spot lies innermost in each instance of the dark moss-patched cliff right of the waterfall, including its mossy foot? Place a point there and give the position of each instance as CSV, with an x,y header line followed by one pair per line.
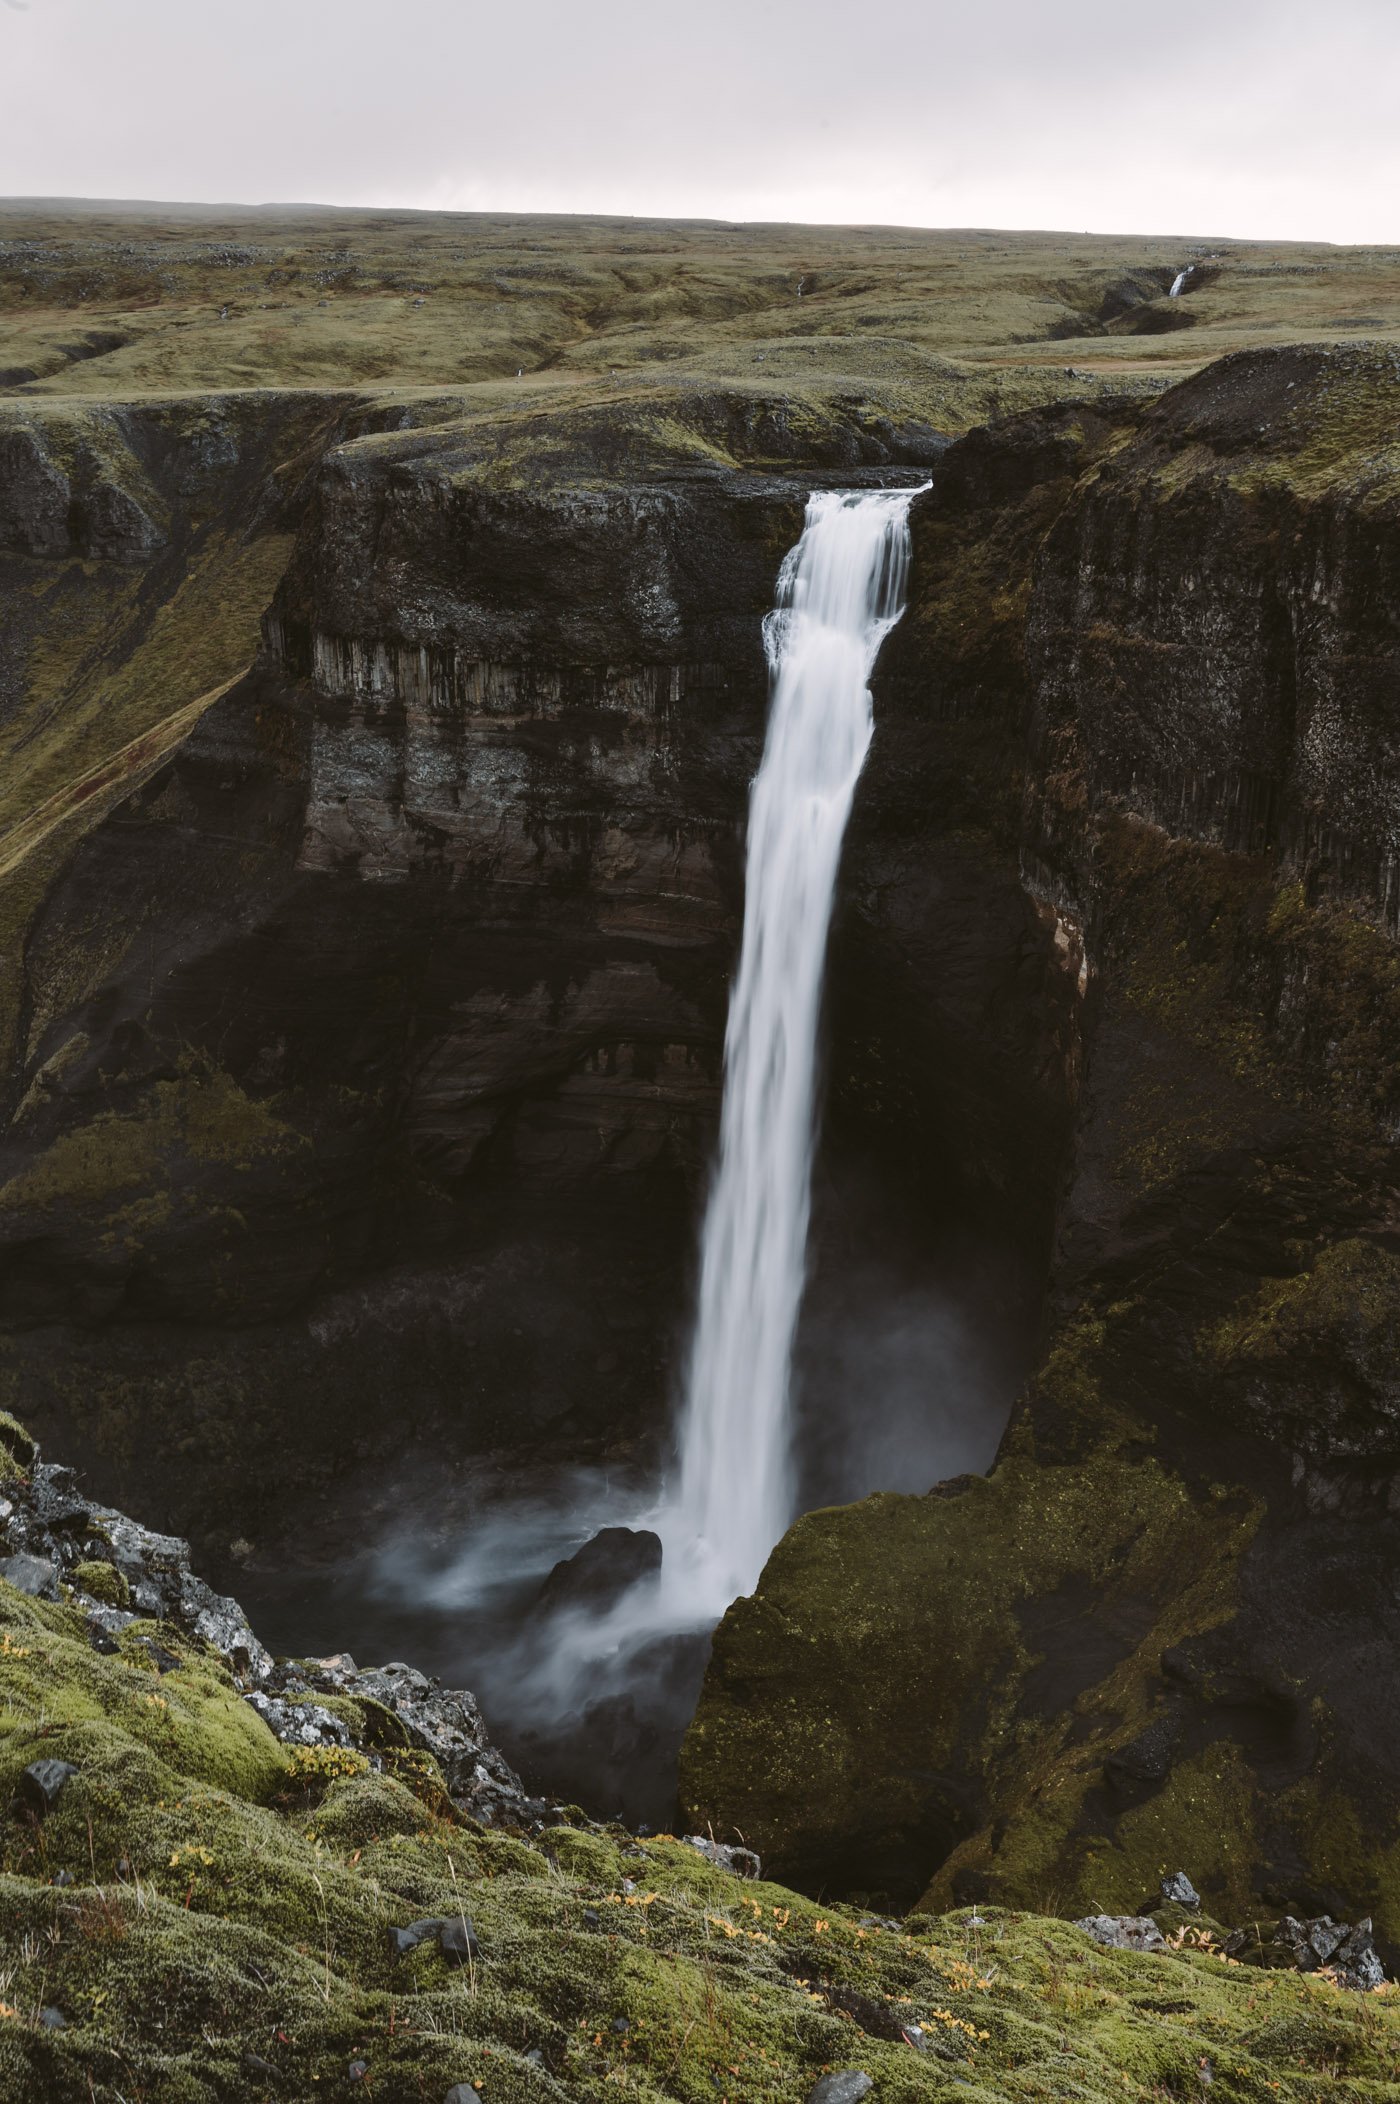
x,y
1159,1627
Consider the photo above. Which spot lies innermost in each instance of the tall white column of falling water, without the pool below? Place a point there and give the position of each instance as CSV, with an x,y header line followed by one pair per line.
x,y
839,594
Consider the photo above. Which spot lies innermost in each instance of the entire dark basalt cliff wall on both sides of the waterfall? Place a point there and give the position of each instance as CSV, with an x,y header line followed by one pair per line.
x,y
369,1070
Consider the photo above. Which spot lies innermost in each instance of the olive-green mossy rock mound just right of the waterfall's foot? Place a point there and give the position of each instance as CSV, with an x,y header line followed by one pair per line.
x,y
894,1648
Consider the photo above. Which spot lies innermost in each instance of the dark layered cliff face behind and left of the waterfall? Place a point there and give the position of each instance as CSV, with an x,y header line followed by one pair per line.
x,y
372,1051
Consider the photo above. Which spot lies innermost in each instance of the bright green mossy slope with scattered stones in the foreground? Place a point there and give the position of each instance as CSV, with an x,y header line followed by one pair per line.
x,y
205,1924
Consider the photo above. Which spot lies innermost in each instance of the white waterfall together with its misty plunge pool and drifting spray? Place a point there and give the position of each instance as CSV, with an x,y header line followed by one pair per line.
x,y
591,1701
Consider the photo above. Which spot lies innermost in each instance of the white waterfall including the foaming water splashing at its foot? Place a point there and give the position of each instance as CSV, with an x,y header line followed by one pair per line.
x,y
734,1493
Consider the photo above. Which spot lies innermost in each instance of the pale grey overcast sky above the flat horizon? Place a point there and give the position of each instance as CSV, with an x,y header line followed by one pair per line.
x,y
1271,119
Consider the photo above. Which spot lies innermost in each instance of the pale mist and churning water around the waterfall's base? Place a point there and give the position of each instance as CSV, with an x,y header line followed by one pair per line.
x,y
904,1373
